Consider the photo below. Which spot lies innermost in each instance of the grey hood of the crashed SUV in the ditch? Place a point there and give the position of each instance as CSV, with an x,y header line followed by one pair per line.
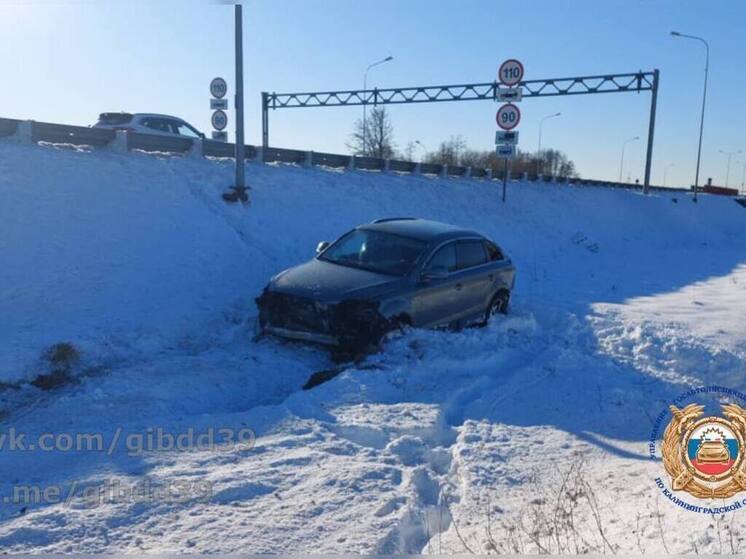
x,y
324,281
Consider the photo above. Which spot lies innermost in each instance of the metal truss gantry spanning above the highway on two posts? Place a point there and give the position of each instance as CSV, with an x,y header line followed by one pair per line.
x,y
583,85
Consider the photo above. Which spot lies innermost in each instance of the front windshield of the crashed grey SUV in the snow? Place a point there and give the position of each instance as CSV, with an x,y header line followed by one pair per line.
x,y
375,251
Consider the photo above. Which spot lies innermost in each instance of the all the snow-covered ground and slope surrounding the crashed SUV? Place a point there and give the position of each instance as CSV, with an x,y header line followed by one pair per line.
x,y
442,443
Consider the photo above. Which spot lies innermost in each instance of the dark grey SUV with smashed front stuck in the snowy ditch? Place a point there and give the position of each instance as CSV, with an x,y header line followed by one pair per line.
x,y
384,275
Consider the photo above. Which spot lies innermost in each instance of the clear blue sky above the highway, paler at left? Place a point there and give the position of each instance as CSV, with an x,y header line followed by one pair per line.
x,y
67,62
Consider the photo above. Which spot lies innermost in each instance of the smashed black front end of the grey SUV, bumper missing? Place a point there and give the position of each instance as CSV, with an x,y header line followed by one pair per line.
x,y
350,323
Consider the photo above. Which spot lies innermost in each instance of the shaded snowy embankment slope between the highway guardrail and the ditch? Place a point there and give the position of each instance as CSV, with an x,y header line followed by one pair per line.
x,y
127,255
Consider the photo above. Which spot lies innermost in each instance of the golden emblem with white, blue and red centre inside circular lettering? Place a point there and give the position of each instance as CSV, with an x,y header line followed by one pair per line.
x,y
705,455
